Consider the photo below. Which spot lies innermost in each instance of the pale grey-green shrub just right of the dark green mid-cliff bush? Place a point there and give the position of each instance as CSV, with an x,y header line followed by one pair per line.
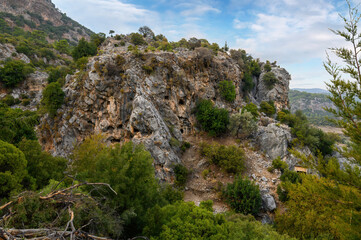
x,y
242,125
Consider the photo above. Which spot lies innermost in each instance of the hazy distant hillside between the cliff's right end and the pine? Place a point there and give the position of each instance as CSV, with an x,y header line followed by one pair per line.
x,y
312,105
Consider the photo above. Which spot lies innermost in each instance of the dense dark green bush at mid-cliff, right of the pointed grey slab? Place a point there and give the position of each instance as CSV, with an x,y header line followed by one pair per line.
x,y
212,119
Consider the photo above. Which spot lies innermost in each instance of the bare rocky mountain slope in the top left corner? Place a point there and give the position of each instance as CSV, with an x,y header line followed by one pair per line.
x,y
30,15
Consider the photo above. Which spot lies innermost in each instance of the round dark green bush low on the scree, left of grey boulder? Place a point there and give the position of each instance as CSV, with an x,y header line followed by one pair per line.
x,y
243,196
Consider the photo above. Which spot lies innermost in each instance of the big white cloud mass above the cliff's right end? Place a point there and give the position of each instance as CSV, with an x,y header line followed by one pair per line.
x,y
293,32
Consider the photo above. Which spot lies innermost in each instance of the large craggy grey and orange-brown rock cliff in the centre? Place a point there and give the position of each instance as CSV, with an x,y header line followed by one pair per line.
x,y
148,97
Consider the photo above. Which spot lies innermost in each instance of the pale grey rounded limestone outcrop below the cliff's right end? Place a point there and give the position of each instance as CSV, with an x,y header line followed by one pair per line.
x,y
273,139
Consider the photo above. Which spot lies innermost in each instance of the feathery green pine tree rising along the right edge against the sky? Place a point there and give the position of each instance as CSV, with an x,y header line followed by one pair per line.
x,y
346,93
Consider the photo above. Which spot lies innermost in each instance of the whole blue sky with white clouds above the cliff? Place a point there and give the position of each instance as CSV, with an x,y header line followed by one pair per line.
x,y
295,33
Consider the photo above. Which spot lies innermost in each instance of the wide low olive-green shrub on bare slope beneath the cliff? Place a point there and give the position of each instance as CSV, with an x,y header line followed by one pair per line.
x,y
229,158
